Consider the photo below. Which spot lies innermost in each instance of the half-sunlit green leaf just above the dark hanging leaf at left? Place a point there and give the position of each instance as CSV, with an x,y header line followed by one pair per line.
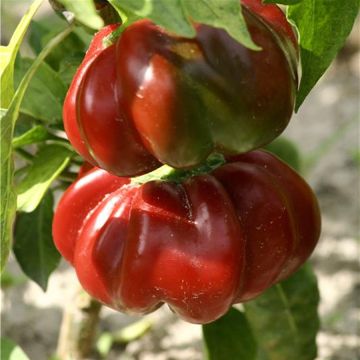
x,y
48,163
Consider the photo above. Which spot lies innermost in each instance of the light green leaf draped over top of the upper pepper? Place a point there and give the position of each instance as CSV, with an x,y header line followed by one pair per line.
x,y
177,15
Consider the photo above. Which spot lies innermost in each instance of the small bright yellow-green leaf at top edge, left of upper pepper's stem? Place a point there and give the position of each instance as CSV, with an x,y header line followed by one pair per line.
x,y
85,12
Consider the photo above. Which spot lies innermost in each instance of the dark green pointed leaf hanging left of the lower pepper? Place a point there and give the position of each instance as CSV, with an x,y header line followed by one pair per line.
x,y
33,245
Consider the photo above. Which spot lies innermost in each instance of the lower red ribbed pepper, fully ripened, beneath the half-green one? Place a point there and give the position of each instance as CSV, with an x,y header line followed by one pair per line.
x,y
199,245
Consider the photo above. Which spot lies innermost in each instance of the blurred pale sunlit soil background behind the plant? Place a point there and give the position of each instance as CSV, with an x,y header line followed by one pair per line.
x,y
326,131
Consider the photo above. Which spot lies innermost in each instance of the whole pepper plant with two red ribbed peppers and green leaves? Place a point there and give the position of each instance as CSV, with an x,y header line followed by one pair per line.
x,y
187,89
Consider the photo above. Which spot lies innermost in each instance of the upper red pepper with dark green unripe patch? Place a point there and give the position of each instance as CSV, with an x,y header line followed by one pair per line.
x,y
153,97
